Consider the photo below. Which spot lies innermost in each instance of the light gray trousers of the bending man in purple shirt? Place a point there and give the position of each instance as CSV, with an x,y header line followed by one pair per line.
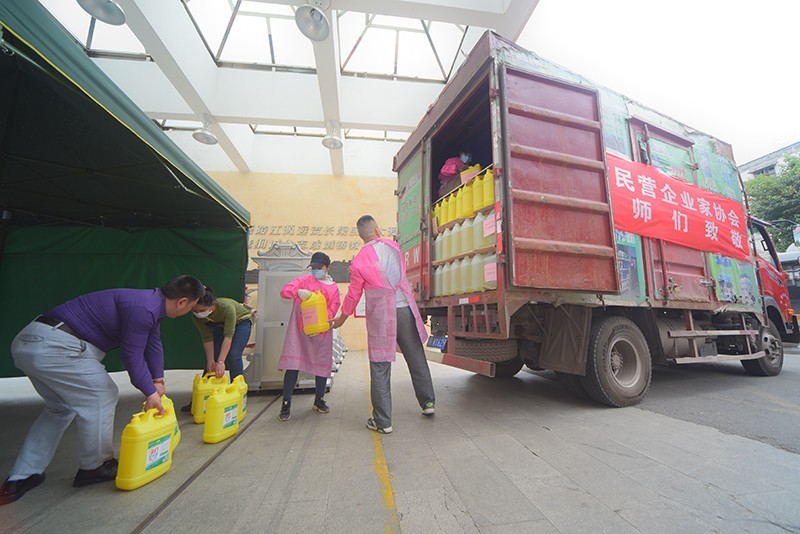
x,y
67,373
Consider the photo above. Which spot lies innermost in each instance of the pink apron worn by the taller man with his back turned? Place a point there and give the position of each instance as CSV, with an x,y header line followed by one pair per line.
x,y
367,276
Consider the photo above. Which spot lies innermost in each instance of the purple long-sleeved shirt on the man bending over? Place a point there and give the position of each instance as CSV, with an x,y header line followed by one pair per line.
x,y
126,318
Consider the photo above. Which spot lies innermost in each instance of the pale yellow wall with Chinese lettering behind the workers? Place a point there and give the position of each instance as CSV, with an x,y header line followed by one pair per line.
x,y
318,212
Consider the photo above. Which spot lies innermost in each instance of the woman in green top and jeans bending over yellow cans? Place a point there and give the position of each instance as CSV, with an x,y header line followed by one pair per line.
x,y
224,327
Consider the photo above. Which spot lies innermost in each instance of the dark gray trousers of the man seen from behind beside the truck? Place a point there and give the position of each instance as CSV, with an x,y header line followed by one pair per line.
x,y
381,372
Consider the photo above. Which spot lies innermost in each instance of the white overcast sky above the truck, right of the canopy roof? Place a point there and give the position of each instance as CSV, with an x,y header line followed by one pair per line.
x,y
726,67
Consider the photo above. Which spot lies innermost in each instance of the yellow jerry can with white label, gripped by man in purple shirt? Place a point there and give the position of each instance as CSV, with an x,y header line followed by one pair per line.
x,y
146,450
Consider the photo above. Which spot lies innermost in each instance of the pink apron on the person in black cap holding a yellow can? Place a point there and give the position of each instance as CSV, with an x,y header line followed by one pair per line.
x,y
309,354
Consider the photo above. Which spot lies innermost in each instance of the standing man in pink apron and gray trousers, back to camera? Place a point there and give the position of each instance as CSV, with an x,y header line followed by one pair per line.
x,y
393,320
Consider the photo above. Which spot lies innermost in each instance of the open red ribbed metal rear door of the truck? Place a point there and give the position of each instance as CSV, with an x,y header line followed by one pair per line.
x,y
560,227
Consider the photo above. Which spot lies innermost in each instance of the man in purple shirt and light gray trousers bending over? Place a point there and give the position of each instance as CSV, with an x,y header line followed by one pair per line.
x,y
61,352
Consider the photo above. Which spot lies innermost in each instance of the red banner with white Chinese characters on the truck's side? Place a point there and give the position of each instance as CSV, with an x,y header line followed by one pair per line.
x,y
652,204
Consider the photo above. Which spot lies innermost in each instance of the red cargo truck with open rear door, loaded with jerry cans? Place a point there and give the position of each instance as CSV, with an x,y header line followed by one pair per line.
x,y
594,236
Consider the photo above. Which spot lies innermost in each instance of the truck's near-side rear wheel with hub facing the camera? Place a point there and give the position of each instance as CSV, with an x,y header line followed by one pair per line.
x,y
618,366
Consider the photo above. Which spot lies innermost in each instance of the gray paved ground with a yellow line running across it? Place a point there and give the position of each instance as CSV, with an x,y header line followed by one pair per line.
x,y
515,455
